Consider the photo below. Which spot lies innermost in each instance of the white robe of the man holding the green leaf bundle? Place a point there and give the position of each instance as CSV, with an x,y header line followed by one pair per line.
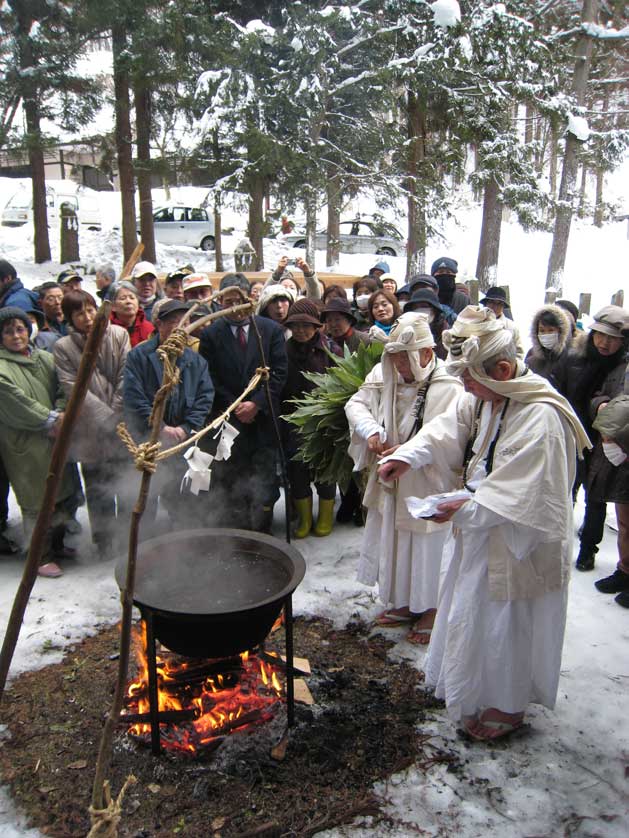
x,y
402,555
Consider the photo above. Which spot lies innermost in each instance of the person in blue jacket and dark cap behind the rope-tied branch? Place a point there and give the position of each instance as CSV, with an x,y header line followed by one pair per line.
x,y
186,412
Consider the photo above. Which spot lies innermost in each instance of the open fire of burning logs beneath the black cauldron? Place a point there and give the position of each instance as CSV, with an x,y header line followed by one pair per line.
x,y
201,702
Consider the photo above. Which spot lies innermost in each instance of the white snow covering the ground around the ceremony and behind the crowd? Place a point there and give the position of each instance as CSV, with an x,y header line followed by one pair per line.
x,y
569,775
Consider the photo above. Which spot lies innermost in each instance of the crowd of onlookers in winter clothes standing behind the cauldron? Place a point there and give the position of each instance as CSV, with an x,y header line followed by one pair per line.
x,y
299,325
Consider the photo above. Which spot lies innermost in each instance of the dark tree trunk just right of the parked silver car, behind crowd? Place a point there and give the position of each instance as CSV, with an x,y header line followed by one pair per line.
x,y
416,127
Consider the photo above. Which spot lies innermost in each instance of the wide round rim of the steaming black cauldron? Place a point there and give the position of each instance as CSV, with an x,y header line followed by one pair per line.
x,y
295,557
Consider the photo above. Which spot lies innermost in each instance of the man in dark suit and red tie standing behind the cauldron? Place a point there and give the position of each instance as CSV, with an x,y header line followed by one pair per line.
x,y
243,487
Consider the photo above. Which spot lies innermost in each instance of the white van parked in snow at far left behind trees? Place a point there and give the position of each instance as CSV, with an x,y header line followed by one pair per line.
x,y
19,208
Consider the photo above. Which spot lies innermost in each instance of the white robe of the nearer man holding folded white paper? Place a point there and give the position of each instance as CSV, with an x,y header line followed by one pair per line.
x,y
501,652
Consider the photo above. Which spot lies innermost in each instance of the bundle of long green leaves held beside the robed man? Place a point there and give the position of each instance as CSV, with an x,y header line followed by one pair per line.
x,y
320,415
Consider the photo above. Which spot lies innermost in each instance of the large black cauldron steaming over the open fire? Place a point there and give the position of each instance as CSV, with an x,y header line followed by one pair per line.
x,y
213,593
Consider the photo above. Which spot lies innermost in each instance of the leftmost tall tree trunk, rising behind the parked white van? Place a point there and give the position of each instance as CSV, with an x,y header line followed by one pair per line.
x,y
30,97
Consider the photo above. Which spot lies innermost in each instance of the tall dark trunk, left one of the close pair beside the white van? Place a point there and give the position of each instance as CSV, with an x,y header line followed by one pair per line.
x,y
124,140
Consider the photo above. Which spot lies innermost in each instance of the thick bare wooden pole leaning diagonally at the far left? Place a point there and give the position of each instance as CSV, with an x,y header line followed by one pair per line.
x,y
57,462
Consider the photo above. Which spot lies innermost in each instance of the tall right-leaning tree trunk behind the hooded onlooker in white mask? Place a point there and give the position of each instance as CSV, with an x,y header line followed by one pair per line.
x,y
563,215
